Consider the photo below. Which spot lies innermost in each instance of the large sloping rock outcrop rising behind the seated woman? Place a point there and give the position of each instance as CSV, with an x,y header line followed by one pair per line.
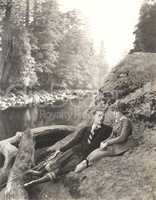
x,y
133,81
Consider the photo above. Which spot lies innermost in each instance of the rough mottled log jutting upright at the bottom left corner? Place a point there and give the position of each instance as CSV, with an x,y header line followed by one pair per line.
x,y
25,158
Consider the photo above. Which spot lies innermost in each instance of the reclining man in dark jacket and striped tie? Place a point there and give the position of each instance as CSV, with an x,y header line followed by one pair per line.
x,y
70,155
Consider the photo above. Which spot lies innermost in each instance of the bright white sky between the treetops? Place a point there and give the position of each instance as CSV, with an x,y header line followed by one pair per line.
x,y
110,21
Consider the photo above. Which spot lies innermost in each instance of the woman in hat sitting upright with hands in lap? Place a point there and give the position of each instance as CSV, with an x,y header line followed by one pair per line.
x,y
117,144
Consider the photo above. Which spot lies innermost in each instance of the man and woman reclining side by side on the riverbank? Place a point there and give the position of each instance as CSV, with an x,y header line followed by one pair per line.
x,y
89,145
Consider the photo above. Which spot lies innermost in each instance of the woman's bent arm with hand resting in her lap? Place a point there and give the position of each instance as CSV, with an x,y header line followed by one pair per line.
x,y
125,130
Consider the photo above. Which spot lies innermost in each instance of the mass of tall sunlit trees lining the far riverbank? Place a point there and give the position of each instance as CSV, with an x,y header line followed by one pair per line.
x,y
47,45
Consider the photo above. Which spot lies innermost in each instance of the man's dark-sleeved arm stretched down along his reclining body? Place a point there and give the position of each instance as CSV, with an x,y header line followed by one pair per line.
x,y
74,141
